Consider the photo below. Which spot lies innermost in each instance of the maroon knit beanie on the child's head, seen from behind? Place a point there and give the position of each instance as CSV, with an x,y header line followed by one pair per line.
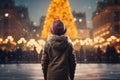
x,y
58,28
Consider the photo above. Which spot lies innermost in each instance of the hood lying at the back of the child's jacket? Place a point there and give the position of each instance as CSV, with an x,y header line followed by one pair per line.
x,y
58,42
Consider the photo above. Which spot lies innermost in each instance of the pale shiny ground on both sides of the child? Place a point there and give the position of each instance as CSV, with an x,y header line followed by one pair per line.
x,y
83,72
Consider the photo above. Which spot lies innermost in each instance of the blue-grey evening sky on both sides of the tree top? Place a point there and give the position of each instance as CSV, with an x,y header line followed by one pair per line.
x,y
38,8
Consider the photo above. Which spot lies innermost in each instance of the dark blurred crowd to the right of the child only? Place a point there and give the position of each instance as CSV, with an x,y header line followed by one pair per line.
x,y
91,55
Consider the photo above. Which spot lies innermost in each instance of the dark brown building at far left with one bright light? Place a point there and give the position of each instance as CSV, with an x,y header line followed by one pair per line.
x,y
14,20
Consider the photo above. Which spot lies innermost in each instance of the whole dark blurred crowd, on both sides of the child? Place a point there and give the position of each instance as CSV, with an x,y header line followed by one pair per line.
x,y
84,55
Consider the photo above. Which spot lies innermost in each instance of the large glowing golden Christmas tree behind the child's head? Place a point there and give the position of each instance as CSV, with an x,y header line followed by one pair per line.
x,y
60,9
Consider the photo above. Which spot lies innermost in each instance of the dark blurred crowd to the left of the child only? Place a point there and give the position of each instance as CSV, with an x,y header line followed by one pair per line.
x,y
19,56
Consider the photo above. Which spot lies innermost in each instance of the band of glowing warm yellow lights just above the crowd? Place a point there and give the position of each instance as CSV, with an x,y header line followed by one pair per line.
x,y
38,45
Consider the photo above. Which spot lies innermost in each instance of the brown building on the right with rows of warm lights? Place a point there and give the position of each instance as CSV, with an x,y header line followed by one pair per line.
x,y
106,23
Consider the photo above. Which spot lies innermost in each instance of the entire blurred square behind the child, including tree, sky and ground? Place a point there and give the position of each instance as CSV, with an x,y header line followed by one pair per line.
x,y
92,28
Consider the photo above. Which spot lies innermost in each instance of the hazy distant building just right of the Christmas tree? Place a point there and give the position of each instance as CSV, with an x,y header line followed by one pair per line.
x,y
80,21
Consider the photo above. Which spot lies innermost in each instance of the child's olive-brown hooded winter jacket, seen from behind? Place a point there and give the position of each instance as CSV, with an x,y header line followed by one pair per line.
x,y
58,61
